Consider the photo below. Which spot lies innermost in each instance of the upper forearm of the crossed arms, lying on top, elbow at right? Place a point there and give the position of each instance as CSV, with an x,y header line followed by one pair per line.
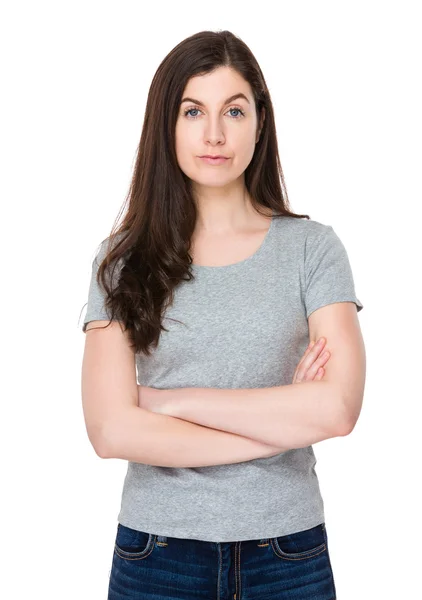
x,y
289,416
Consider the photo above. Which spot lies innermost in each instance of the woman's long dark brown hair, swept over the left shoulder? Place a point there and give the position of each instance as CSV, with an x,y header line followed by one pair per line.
x,y
152,243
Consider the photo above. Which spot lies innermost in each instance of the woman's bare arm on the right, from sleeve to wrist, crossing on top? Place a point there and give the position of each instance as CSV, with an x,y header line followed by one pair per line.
x,y
288,416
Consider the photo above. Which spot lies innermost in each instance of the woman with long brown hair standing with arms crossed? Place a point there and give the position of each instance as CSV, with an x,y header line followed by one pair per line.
x,y
207,296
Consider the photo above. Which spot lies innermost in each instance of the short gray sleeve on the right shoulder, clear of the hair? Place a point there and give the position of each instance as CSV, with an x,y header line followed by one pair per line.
x,y
328,273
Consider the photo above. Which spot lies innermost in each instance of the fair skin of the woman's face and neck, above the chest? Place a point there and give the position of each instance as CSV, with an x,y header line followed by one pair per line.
x,y
224,205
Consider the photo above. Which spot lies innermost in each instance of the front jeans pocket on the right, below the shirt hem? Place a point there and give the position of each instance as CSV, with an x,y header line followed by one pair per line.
x,y
300,545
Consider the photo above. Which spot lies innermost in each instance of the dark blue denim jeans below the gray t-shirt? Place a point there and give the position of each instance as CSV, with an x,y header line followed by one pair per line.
x,y
151,567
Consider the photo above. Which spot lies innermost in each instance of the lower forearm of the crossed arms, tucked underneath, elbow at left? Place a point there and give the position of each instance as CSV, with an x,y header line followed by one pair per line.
x,y
139,435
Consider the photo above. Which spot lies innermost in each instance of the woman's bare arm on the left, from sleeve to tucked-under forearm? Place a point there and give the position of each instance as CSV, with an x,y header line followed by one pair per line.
x,y
118,428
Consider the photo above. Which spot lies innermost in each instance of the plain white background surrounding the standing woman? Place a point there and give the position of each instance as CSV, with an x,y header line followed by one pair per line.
x,y
345,83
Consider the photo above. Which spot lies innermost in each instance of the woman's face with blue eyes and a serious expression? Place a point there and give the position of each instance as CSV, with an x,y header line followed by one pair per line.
x,y
209,125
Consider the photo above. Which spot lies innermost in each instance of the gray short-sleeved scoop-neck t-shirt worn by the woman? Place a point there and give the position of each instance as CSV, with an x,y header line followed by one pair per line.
x,y
245,326
